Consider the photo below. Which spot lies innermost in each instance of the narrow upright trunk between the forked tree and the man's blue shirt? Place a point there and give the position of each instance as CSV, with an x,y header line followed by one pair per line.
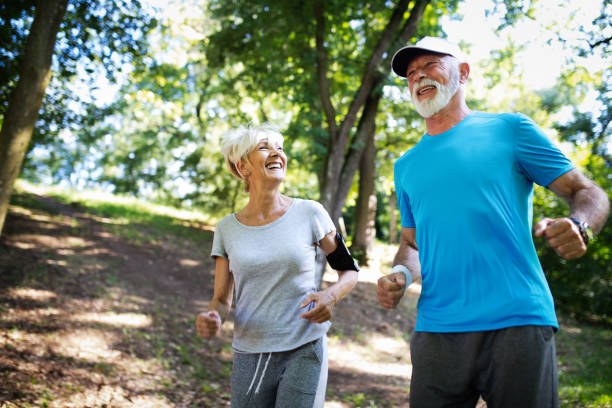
x,y
365,214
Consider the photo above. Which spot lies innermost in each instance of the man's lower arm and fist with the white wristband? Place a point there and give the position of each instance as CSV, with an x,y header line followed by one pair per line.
x,y
390,288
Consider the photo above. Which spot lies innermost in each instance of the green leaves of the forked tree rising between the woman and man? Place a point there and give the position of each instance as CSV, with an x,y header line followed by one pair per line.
x,y
274,47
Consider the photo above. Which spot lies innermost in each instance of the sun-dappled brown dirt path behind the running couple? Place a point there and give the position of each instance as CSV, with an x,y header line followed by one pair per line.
x,y
88,319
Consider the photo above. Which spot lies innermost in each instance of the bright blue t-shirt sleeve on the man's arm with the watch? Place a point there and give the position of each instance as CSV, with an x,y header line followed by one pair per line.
x,y
539,158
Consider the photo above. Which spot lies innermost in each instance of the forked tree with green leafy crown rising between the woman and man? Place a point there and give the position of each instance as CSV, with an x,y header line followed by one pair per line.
x,y
327,58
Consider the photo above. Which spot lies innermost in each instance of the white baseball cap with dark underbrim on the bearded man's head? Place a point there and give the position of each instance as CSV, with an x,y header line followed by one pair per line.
x,y
426,45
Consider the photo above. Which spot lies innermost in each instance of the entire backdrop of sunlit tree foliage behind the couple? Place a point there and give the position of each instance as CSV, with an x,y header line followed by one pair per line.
x,y
187,79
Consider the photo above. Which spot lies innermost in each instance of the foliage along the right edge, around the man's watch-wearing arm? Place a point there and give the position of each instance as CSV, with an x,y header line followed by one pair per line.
x,y
582,287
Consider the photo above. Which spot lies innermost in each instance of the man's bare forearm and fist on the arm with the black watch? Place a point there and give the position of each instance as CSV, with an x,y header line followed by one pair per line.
x,y
587,202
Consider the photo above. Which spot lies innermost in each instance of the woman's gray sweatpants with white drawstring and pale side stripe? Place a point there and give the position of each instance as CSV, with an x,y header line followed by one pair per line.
x,y
288,379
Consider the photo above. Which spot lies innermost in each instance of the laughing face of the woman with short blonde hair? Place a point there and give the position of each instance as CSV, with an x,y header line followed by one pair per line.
x,y
266,161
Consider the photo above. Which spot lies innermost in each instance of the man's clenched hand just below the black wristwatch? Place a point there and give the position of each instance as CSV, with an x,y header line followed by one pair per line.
x,y
562,235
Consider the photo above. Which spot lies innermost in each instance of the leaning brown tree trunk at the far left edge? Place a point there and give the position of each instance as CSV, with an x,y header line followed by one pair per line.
x,y
26,100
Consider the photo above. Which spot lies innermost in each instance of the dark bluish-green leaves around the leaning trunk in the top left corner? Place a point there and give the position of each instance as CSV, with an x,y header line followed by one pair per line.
x,y
94,38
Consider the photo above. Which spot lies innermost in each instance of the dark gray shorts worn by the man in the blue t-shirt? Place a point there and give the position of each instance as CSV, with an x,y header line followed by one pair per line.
x,y
512,367
